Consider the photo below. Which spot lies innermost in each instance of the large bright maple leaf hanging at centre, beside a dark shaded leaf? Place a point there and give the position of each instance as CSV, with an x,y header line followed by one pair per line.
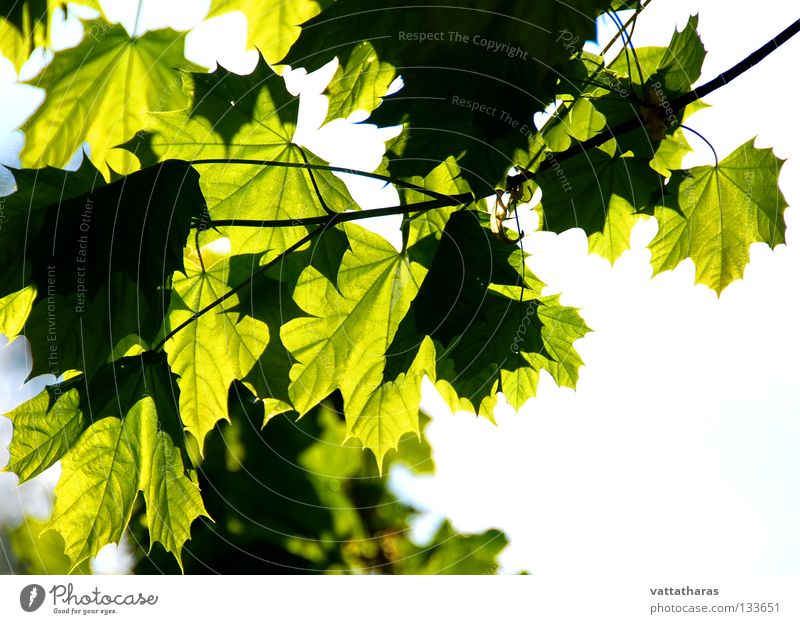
x,y
344,341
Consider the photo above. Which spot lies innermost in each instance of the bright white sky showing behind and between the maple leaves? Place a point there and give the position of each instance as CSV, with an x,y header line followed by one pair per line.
x,y
678,452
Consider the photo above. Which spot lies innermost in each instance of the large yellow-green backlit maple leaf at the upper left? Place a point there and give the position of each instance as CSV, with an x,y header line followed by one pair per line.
x,y
99,92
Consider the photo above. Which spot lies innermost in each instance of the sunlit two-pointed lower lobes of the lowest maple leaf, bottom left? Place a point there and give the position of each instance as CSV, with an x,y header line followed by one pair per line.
x,y
103,472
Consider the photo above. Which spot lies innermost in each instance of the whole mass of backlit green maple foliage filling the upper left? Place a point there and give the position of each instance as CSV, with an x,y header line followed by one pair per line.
x,y
201,284
